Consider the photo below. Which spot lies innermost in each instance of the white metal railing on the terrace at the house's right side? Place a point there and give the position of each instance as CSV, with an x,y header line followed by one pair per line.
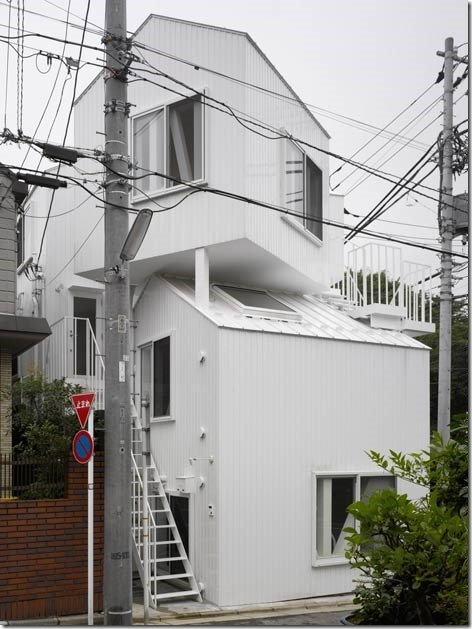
x,y
377,274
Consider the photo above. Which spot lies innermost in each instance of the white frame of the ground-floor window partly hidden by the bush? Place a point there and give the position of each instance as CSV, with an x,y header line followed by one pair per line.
x,y
316,559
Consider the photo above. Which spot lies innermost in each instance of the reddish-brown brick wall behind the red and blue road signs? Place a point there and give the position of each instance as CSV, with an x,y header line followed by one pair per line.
x,y
43,556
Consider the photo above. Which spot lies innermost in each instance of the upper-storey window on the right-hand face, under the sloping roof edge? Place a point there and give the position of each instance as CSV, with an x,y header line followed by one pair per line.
x,y
304,188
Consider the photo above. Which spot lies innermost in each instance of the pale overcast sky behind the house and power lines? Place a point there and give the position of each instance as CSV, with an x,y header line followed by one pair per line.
x,y
366,60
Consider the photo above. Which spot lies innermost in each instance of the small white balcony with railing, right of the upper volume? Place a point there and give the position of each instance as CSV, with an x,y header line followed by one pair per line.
x,y
382,289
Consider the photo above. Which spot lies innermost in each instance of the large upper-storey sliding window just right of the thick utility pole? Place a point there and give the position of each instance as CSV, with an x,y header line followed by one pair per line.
x,y
168,140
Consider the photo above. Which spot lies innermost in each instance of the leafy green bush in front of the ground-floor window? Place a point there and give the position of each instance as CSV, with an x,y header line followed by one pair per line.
x,y
413,555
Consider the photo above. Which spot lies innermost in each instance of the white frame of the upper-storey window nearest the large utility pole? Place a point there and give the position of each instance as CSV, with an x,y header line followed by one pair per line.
x,y
138,196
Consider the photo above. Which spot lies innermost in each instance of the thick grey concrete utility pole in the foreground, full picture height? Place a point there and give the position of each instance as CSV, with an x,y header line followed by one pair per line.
x,y
117,577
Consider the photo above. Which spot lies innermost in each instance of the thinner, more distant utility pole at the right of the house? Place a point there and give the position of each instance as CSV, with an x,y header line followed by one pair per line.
x,y
446,230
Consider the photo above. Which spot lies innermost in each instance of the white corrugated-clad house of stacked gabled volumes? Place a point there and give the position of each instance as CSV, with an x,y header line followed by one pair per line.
x,y
266,385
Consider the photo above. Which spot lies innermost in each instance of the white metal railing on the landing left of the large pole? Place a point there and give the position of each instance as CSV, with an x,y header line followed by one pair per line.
x,y
72,352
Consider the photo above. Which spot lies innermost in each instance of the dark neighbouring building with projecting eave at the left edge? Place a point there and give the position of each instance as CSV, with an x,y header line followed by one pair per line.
x,y
17,333
